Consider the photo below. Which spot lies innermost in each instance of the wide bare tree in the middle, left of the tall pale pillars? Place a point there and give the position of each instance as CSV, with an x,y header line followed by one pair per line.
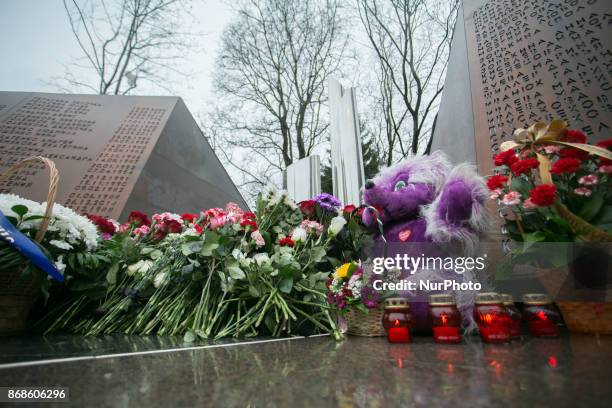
x,y
271,75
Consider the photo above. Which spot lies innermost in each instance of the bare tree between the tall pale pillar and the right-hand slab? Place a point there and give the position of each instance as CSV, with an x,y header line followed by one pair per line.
x,y
411,41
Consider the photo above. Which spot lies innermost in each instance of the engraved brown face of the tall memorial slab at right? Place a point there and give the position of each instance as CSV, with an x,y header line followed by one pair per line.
x,y
537,60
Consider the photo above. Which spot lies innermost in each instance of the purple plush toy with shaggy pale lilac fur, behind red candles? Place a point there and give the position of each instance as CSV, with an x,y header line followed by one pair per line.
x,y
425,201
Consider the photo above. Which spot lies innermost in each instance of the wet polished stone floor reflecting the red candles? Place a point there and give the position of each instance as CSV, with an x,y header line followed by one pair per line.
x,y
574,370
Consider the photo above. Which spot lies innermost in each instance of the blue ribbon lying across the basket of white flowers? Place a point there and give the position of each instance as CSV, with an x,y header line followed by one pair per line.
x,y
13,237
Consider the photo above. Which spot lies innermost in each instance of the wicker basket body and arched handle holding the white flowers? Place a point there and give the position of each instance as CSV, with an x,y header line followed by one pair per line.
x,y
18,294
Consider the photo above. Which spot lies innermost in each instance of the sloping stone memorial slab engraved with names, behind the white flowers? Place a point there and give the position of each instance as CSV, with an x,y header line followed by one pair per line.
x,y
115,153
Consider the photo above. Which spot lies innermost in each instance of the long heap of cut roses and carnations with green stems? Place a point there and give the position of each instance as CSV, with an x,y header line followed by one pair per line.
x,y
223,272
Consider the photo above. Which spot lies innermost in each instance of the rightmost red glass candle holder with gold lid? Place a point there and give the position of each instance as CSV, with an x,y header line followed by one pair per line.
x,y
542,319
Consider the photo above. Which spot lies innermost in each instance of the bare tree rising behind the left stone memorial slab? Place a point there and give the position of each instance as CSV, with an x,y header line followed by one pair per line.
x,y
125,43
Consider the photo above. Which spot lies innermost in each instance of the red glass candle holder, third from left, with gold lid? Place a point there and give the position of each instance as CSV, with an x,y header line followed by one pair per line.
x,y
492,318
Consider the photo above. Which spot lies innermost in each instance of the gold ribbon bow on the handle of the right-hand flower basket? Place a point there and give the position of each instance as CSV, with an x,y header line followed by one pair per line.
x,y
541,133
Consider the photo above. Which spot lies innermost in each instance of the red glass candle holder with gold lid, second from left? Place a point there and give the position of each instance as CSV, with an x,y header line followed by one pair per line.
x,y
445,319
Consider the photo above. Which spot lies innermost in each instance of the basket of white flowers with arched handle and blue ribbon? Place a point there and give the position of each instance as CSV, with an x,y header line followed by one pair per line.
x,y
35,237
